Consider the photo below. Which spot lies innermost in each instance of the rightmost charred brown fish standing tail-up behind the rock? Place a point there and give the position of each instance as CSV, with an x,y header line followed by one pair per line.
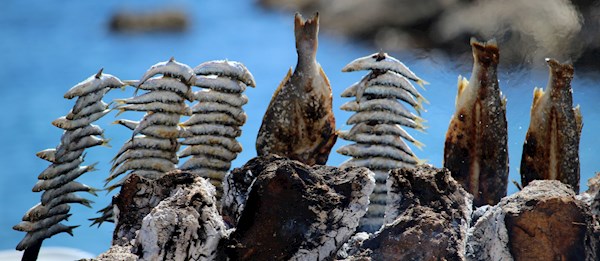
x,y
551,148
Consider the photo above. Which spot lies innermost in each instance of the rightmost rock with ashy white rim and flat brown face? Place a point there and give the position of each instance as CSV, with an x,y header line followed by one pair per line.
x,y
544,221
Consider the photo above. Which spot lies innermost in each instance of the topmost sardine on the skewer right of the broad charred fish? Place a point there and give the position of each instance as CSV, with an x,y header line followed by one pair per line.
x,y
383,62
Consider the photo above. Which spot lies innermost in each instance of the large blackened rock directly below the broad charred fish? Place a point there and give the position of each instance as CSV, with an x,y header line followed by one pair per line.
x,y
297,212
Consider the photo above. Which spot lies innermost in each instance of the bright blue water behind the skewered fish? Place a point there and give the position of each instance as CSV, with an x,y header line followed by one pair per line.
x,y
48,46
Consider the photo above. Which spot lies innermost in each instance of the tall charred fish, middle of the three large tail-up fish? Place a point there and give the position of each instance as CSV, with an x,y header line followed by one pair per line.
x,y
476,146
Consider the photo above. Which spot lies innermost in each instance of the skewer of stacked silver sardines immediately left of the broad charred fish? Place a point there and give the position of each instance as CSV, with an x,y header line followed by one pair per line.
x,y
216,119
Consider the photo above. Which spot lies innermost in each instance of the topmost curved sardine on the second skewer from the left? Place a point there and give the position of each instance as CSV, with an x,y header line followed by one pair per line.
x,y
170,68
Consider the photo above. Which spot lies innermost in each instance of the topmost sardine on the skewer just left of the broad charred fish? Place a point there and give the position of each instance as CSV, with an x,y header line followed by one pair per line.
x,y
234,70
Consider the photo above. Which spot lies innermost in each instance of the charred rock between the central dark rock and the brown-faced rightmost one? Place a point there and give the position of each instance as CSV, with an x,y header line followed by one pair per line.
x,y
427,217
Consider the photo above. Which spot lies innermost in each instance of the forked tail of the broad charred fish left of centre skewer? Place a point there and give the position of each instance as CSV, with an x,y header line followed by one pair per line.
x,y
306,31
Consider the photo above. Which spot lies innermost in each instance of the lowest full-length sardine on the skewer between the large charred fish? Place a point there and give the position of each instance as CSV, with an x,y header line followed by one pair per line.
x,y
374,150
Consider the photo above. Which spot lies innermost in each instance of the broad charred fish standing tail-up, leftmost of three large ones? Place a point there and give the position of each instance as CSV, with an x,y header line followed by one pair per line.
x,y
299,121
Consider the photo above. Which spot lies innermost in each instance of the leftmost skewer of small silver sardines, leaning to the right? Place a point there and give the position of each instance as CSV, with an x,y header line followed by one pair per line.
x,y
58,180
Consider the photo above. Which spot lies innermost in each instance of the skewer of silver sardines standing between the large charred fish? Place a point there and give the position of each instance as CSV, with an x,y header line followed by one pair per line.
x,y
379,140
